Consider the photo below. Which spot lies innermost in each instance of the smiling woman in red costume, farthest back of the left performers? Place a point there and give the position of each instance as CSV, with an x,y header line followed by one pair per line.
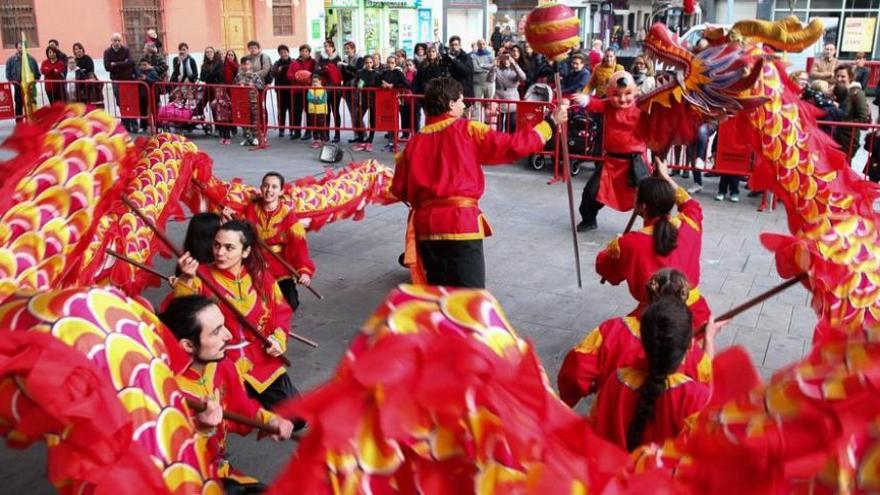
x,y
279,227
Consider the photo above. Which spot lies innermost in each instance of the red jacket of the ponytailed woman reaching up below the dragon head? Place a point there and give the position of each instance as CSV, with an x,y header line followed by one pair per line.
x,y
632,258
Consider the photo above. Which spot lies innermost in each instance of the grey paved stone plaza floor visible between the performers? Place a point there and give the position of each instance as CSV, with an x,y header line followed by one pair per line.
x,y
529,269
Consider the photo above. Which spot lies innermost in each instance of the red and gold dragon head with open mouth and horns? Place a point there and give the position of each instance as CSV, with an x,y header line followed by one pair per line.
x,y
711,82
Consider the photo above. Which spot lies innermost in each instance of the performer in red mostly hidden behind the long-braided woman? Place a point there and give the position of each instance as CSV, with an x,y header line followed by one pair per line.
x,y
617,342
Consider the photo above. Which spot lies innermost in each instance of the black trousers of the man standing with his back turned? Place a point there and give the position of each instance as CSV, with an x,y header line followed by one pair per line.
x,y
454,263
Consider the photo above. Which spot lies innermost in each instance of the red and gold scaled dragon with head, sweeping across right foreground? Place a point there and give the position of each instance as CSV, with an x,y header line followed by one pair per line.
x,y
426,393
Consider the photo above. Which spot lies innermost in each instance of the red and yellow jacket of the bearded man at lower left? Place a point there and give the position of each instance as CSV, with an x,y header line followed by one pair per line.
x,y
221,381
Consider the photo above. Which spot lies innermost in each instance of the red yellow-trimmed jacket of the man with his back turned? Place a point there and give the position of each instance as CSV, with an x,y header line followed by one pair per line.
x,y
443,161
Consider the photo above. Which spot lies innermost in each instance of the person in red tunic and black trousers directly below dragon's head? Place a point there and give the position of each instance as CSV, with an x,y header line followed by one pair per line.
x,y
624,162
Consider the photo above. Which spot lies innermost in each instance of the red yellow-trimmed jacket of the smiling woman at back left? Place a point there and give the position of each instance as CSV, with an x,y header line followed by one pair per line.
x,y
285,235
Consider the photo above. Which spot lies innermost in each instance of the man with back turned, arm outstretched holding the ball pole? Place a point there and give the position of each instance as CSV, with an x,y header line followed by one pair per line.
x,y
439,176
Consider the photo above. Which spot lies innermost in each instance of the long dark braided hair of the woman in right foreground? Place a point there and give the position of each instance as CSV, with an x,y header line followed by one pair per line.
x,y
666,337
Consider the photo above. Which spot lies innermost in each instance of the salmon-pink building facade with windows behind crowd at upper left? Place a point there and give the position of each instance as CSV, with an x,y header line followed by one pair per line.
x,y
226,24
